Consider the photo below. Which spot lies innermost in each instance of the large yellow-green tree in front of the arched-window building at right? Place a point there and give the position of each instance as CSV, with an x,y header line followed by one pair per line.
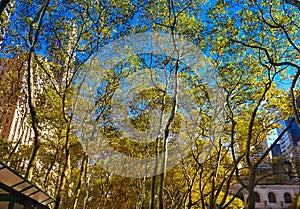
x,y
263,40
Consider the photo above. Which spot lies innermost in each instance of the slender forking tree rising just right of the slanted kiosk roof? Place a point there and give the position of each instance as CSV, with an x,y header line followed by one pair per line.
x,y
69,52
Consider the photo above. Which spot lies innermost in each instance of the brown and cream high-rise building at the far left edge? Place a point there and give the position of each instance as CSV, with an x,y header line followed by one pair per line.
x,y
14,126
